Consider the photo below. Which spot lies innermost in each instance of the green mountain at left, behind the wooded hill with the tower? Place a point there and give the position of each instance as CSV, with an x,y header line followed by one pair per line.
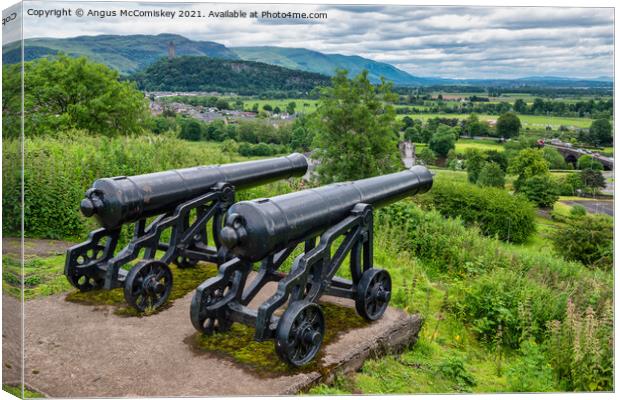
x,y
127,54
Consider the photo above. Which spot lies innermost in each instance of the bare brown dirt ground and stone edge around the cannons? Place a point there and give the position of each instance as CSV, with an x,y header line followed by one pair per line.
x,y
77,350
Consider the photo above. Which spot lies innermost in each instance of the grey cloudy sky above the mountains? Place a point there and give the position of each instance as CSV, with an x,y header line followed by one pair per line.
x,y
452,42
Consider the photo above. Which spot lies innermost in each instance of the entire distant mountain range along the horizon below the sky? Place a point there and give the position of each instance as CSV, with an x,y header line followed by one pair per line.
x,y
131,53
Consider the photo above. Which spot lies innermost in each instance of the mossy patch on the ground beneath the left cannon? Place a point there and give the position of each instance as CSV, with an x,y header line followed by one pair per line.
x,y
184,280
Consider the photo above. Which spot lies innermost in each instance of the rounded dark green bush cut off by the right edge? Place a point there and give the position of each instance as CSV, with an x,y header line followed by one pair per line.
x,y
588,239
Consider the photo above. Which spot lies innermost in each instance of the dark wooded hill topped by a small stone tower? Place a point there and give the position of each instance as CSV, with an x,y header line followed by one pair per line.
x,y
210,74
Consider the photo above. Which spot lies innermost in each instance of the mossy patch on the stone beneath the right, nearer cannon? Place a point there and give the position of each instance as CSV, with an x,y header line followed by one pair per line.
x,y
239,345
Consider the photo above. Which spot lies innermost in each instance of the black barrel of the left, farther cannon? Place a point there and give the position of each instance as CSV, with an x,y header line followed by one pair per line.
x,y
123,199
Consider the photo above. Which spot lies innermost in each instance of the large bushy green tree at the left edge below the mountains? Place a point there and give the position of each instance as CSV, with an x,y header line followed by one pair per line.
x,y
61,93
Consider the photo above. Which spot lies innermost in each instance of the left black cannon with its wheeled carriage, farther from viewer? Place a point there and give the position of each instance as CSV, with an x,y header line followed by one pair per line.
x,y
178,205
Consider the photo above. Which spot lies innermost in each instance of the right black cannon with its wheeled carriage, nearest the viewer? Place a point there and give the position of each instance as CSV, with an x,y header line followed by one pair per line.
x,y
328,224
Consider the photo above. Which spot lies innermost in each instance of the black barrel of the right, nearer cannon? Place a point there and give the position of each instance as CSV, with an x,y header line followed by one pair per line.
x,y
256,228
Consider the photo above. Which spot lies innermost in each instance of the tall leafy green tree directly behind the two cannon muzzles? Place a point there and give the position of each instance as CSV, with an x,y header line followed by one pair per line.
x,y
355,129
